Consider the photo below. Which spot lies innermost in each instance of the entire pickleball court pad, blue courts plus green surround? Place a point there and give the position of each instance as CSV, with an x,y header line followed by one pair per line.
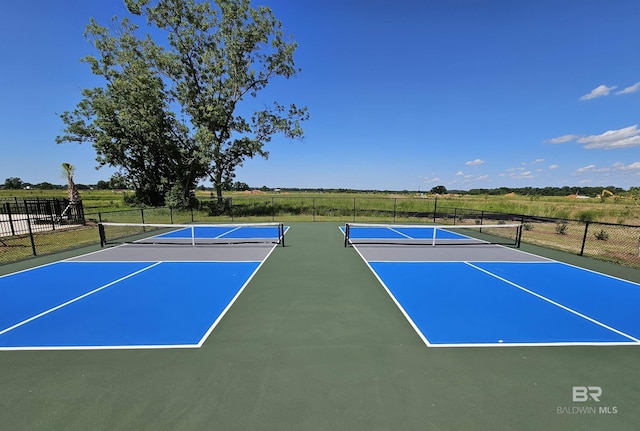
x,y
242,333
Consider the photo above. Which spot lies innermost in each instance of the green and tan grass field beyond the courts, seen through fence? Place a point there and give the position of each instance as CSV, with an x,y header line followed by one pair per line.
x,y
611,243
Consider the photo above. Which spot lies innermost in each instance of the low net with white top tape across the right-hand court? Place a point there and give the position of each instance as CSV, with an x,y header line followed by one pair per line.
x,y
432,235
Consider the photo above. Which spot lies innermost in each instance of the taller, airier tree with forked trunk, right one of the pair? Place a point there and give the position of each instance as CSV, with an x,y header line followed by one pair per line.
x,y
219,55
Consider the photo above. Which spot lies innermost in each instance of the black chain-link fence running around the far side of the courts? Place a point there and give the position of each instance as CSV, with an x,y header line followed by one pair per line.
x,y
49,232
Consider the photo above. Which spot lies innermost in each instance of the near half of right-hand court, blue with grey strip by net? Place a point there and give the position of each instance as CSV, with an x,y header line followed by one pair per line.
x,y
518,300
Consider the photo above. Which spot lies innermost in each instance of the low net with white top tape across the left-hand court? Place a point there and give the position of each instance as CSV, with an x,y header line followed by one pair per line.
x,y
189,234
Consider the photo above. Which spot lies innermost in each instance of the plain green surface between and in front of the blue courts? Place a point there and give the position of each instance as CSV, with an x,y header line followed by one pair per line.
x,y
315,343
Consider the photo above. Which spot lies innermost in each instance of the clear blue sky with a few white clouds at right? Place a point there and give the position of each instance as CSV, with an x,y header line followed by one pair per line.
x,y
403,95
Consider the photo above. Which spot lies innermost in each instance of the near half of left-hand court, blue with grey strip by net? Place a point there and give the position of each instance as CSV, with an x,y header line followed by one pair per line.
x,y
131,300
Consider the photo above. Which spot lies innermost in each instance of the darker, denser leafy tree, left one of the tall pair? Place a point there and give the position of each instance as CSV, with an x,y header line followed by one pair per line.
x,y
129,120
